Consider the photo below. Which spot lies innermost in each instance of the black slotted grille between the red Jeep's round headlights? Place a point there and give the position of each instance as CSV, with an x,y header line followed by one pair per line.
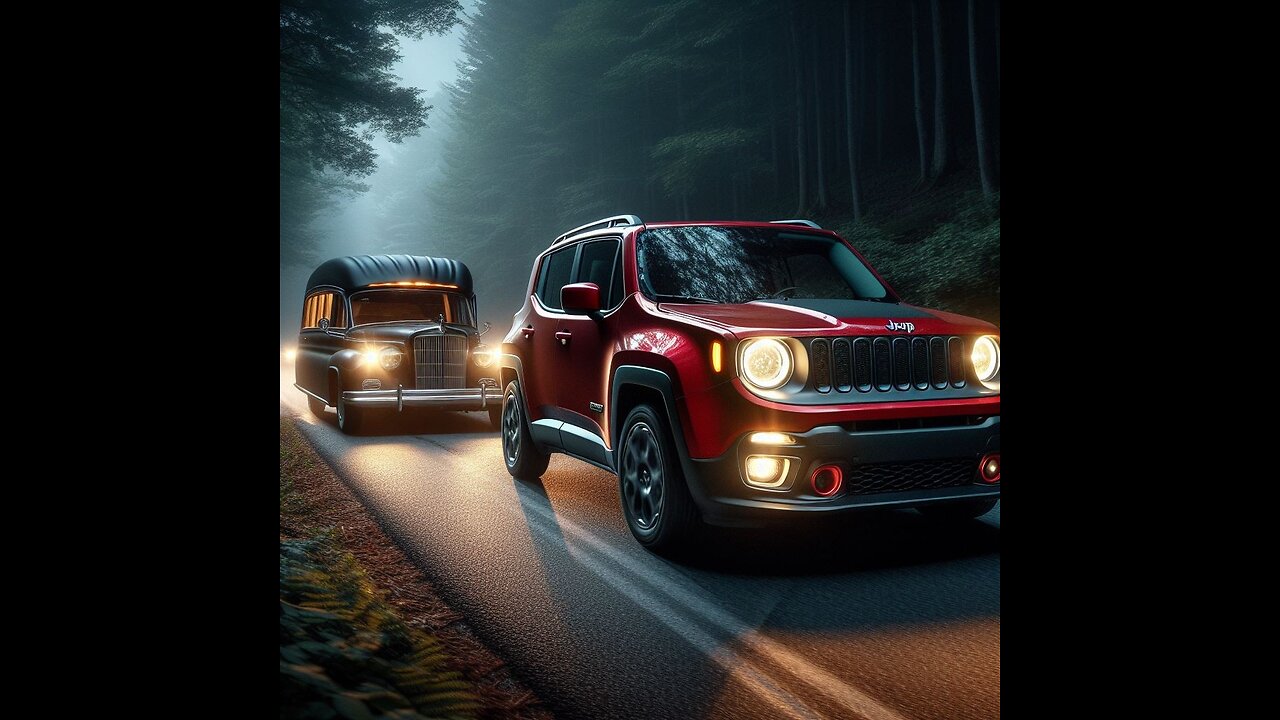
x,y
845,364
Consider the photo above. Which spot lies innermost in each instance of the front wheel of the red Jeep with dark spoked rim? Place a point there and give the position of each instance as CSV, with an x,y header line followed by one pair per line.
x,y
652,487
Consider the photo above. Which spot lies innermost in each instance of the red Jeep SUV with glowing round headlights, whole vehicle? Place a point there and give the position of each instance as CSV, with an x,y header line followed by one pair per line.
x,y
742,372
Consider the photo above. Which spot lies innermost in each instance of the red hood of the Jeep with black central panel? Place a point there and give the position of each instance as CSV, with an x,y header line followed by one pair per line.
x,y
808,317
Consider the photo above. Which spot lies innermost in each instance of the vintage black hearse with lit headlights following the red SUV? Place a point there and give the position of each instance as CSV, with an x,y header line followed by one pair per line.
x,y
387,332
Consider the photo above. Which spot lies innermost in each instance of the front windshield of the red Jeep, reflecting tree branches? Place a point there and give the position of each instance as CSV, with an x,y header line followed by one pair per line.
x,y
733,265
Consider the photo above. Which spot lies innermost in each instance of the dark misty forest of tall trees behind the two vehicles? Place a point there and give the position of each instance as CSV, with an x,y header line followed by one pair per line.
x,y
876,119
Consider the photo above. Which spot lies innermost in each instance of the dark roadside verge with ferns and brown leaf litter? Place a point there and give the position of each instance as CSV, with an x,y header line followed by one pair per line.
x,y
345,653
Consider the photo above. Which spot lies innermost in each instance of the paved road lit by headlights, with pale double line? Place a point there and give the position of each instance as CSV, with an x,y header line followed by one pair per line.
x,y
877,617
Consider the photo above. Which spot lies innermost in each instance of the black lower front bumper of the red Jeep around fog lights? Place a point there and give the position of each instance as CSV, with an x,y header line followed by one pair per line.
x,y
725,499
